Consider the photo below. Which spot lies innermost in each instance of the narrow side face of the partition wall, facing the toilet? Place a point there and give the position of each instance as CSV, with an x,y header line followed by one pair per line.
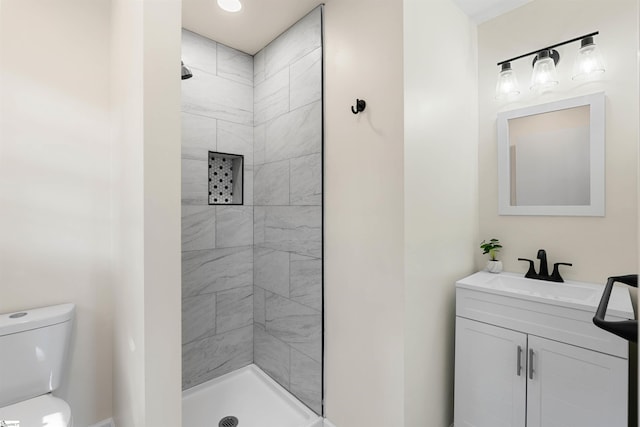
x,y
127,161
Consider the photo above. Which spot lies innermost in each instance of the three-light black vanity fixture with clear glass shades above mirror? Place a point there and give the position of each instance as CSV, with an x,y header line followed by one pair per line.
x,y
544,75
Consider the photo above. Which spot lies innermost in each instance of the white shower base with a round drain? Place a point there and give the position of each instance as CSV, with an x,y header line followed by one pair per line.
x,y
251,396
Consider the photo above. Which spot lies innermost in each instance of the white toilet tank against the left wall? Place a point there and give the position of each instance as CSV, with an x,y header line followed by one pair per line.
x,y
33,351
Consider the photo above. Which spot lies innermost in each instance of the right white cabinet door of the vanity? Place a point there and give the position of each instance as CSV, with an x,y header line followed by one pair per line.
x,y
574,387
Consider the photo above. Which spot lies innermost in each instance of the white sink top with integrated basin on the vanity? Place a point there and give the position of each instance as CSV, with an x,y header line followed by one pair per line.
x,y
580,295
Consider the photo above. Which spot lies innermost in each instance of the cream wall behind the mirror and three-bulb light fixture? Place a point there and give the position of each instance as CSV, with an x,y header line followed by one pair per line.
x,y
597,247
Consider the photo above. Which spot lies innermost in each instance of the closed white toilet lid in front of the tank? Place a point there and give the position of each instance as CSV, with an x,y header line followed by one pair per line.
x,y
41,411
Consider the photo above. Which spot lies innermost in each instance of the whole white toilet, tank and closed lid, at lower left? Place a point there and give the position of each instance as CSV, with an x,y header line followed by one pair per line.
x,y
34,346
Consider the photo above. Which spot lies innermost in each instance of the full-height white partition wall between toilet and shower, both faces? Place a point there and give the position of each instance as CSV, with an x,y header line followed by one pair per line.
x,y
145,98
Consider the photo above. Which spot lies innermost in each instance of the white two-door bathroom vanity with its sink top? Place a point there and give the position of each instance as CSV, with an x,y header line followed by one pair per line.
x,y
528,354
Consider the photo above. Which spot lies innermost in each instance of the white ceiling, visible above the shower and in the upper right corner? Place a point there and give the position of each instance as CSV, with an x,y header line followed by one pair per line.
x,y
261,21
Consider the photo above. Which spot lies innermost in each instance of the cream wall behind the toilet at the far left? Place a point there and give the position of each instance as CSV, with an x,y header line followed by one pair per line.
x,y
54,180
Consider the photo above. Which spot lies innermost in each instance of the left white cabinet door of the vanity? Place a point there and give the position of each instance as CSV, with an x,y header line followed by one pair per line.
x,y
490,390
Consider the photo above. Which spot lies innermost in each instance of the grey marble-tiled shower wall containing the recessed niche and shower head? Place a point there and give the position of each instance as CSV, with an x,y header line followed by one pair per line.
x,y
217,241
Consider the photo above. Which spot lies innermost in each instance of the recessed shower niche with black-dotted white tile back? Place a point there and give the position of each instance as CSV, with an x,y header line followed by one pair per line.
x,y
226,173
